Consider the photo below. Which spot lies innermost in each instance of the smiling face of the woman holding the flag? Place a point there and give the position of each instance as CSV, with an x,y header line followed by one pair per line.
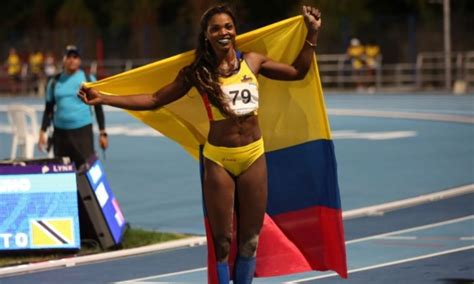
x,y
221,32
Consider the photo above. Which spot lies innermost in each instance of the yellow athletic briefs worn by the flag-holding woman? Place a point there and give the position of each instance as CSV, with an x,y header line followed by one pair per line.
x,y
234,159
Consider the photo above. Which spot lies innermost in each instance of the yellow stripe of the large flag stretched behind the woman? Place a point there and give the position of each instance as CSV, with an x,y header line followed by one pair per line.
x,y
290,113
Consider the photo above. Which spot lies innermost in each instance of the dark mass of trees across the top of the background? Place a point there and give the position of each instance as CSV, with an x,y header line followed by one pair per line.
x,y
160,28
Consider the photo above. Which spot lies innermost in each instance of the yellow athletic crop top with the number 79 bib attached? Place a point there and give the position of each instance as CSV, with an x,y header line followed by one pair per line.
x,y
240,91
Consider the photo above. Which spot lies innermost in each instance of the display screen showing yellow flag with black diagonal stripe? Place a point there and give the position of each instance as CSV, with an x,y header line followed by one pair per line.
x,y
38,207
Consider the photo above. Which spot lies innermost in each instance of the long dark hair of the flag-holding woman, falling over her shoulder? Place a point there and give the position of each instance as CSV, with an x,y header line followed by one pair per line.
x,y
203,72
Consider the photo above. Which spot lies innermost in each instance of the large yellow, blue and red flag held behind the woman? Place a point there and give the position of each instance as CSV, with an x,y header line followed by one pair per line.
x,y
303,227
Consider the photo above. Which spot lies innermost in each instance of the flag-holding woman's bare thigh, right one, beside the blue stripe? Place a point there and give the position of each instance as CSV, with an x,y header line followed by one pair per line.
x,y
252,187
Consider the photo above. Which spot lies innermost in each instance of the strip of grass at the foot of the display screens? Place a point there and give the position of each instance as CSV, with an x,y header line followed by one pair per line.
x,y
132,238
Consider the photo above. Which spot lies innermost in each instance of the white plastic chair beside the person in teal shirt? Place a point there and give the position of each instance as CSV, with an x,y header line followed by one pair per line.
x,y
24,124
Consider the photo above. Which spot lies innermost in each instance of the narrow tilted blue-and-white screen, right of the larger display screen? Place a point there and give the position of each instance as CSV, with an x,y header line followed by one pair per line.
x,y
106,199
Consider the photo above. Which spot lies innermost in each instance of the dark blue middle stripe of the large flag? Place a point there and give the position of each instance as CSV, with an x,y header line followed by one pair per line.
x,y
302,176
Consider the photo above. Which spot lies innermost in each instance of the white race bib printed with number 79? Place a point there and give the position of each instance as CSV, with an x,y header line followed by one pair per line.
x,y
242,97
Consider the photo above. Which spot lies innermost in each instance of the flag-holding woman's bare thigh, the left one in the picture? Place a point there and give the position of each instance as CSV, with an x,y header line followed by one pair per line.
x,y
219,191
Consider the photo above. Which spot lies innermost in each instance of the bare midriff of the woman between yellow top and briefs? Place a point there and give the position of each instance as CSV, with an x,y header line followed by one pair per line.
x,y
231,133
